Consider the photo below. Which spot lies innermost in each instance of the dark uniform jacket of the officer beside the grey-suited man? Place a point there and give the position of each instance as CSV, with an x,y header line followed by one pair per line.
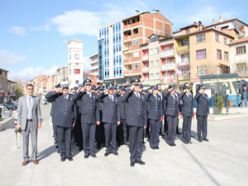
x,y
65,111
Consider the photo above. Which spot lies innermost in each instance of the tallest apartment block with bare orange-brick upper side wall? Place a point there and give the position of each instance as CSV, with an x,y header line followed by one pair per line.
x,y
137,30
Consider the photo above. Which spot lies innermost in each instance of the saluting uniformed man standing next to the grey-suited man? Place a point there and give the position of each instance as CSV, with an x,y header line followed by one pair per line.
x,y
65,116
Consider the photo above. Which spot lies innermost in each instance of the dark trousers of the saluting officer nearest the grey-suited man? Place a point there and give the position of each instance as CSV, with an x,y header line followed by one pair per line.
x,y
64,140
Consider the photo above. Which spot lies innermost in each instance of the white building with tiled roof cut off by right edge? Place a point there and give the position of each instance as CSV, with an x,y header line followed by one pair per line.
x,y
239,57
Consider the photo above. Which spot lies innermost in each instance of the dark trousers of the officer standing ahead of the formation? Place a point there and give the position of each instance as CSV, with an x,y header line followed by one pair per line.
x,y
135,142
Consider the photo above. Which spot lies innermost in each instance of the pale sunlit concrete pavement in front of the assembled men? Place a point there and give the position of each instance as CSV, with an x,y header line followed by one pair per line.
x,y
220,162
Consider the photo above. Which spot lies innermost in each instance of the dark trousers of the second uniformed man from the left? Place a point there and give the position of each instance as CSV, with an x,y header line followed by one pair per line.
x,y
89,131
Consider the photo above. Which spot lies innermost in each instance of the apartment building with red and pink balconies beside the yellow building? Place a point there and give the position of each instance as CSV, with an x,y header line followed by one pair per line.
x,y
158,61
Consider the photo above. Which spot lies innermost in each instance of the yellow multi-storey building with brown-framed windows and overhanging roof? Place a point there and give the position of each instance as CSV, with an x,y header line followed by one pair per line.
x,y
201,51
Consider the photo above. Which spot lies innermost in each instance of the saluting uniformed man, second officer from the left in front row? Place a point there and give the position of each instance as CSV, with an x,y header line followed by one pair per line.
x,y
89,117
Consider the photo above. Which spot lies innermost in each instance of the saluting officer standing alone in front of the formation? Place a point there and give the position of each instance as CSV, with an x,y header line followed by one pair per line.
x,y
136,120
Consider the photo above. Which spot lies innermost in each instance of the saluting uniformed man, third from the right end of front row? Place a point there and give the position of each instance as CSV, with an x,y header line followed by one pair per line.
x,y
172,111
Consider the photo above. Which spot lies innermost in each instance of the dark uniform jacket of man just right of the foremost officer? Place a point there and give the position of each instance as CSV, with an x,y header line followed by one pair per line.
x,y
154,106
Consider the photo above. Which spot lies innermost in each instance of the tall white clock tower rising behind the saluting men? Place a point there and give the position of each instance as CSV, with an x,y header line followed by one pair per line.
x,y
75,62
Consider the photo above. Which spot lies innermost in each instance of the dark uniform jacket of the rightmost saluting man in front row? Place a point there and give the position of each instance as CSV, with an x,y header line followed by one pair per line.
x,y
202,104
